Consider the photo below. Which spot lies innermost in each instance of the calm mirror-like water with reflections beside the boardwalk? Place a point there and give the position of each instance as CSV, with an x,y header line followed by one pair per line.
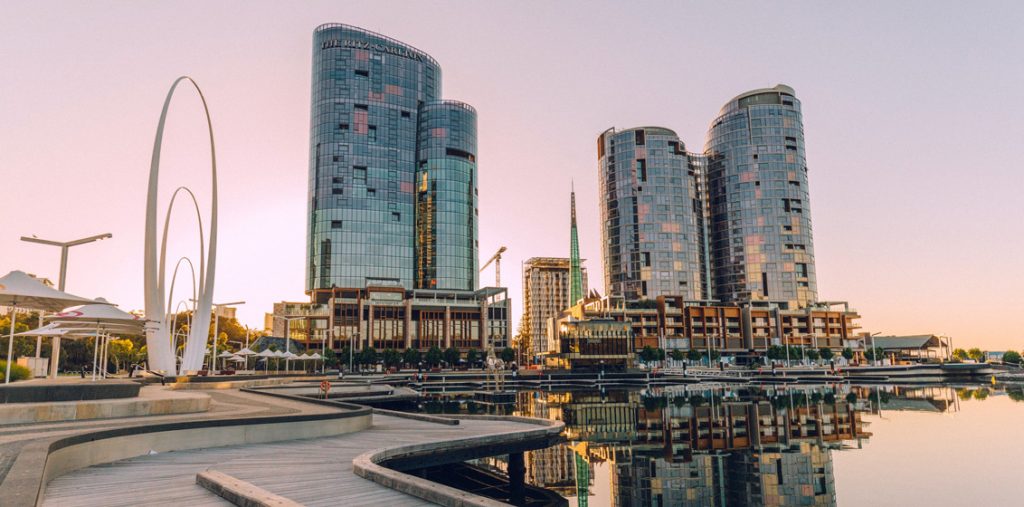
x,y
798,446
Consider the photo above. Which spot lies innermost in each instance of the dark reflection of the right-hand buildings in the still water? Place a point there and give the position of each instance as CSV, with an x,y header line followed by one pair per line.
x,y
707,447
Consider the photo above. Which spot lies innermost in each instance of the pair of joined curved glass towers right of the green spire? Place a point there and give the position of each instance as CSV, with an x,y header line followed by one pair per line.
x,y
731,225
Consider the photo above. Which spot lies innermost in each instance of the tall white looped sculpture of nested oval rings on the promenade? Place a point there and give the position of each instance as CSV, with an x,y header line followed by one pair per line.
x,y
158,336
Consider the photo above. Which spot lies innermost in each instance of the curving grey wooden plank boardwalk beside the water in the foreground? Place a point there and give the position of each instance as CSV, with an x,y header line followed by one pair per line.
x,y
313,473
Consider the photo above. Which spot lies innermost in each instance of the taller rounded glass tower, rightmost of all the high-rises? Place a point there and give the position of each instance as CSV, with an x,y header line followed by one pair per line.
x,y
761,242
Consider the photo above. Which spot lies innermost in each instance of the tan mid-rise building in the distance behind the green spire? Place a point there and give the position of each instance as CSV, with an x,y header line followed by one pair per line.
x,y
546,287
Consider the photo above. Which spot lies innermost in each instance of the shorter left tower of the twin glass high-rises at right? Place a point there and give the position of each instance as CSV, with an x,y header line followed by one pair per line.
x,y
651,216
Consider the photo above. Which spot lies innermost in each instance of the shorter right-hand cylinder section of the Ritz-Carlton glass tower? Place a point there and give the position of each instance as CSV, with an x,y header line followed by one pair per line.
x,y
446,198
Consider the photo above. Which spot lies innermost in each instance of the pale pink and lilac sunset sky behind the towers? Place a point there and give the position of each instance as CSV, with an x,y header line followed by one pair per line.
x,y
912,115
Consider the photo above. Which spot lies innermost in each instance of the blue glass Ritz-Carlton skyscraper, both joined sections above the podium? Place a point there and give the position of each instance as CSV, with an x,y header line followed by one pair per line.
x,y
393,170
